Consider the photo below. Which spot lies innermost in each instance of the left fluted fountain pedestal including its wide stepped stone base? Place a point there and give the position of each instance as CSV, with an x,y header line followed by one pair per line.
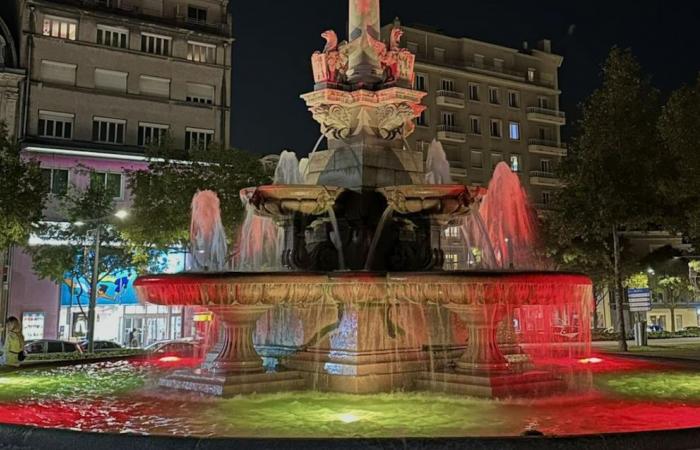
x,y
236,367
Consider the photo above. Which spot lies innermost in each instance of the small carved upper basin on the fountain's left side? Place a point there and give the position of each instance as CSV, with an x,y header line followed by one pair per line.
x,y
280,200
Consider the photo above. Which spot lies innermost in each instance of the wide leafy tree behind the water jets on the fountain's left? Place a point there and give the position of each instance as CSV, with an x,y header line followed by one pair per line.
x,y
162,194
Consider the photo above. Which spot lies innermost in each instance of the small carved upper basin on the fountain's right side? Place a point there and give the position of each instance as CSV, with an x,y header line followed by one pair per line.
x,y
435,199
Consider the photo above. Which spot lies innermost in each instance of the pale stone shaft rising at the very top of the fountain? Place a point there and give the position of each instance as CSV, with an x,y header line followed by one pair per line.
x,y
364,66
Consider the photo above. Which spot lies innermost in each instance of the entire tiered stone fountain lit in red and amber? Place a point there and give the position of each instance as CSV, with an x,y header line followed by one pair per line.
x,y
359,301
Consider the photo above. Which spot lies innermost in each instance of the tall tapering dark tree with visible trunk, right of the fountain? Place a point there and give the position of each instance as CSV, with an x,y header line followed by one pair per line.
x,y
613,170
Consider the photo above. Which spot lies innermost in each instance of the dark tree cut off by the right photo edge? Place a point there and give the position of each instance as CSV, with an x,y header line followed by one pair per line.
x,y
679,128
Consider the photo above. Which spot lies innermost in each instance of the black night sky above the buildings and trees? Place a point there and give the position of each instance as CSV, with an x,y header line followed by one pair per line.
x,y
275,39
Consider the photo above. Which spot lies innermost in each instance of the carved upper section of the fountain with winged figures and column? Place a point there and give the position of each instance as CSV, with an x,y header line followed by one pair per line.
x,y
364,101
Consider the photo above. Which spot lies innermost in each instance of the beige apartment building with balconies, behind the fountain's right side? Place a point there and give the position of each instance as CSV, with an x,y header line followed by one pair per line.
x,y
487,104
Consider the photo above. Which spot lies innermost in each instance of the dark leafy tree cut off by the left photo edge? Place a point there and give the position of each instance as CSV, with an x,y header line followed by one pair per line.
x,y
22,193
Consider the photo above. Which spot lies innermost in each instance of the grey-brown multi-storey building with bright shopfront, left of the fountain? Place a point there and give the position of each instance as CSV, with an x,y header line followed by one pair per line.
x,y
106,79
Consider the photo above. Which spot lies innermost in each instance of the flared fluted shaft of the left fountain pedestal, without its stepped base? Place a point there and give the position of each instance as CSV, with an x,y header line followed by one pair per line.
x,y
236,353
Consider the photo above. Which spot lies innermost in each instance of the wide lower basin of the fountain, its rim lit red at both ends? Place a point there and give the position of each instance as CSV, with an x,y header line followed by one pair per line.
x,y
307,289
